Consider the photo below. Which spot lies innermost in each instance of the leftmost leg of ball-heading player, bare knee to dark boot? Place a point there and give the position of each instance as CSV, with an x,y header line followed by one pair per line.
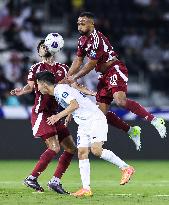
x,y
53,148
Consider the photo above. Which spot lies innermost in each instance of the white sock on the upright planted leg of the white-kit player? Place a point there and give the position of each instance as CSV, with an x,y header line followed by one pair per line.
x,y
84,166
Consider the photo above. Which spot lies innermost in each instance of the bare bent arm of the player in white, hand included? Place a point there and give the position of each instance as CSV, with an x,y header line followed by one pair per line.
x,y
69,110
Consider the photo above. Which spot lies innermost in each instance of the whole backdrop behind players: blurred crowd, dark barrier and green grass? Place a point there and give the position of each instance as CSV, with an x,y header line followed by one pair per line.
x,y
138,30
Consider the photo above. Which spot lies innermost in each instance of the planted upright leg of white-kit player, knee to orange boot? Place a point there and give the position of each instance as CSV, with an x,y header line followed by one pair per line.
x,y
84,166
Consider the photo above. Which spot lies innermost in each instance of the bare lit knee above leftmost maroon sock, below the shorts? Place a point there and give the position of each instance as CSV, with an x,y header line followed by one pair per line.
x,y
53,143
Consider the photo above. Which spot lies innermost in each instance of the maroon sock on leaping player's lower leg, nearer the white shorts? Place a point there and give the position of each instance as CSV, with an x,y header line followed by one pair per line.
x,y
115,121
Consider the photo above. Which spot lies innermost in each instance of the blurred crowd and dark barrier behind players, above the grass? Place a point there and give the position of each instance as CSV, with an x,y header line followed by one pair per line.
x,y
138,30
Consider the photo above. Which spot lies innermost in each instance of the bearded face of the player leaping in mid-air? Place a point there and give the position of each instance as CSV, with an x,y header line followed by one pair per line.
x,y
85,25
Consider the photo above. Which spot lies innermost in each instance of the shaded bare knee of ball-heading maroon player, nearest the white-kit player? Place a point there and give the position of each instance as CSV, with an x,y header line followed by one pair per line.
x,y
68,144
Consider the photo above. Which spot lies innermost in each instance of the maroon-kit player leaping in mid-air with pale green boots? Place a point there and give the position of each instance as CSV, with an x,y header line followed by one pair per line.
x,y
113,83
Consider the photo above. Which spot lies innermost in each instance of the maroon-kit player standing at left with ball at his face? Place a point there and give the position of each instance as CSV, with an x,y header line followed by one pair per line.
x,y
53,135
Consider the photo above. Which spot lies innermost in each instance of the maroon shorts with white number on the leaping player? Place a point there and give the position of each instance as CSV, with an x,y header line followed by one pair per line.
x,y
114,80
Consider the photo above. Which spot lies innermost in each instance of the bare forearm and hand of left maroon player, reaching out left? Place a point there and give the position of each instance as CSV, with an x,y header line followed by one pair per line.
x,y
28,88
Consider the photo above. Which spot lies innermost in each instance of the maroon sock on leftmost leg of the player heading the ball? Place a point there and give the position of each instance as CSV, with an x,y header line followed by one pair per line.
x,y
43,162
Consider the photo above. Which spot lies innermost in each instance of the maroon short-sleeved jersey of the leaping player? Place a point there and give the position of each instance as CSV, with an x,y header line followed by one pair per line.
x,y
96,47
